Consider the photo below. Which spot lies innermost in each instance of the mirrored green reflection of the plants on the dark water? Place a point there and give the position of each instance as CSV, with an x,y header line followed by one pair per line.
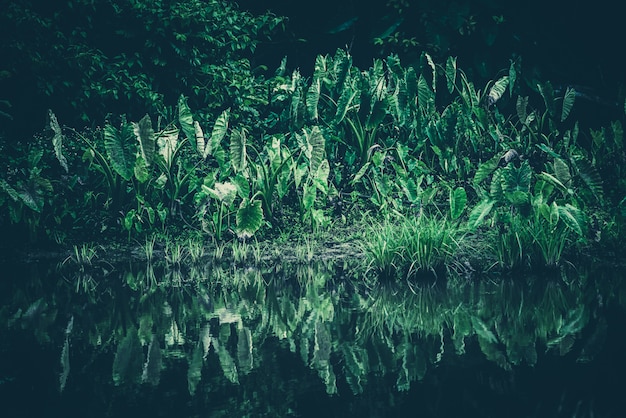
x,y
219,327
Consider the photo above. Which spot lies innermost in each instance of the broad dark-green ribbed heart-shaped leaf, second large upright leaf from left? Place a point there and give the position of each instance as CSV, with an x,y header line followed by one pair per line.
x,y
119,145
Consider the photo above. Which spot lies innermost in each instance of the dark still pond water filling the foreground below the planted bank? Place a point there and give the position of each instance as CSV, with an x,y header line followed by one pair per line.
x,y
307,340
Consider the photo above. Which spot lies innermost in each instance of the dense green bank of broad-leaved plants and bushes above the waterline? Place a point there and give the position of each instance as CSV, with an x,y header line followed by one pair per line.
x,y
247,155
